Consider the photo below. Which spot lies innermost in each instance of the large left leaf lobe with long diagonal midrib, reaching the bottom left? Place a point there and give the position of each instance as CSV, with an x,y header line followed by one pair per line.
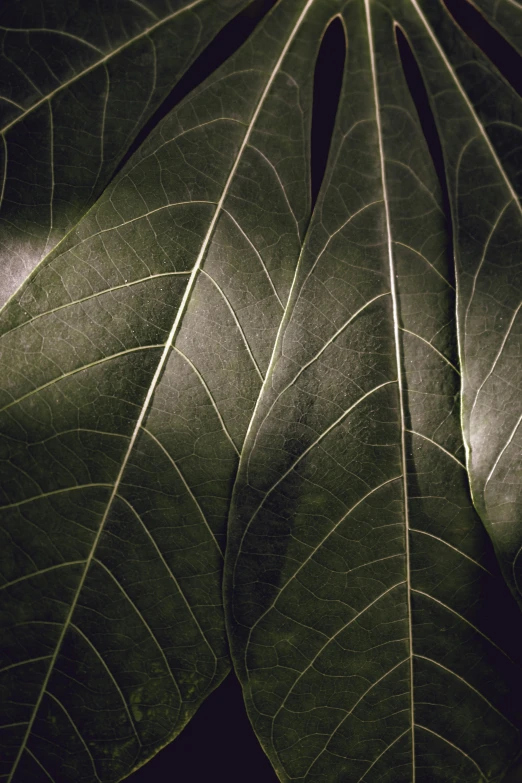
x,y
132,360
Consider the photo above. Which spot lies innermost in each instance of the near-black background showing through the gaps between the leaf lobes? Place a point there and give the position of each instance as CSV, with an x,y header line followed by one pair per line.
x,y
218,744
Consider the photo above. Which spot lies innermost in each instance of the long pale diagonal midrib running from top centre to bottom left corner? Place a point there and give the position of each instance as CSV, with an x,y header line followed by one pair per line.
x,y
161,364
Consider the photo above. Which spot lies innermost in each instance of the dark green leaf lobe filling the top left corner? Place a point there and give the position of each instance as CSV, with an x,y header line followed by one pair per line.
x,y
77,81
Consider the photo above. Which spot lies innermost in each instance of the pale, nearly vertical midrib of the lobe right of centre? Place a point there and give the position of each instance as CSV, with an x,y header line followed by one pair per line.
x,y
395,309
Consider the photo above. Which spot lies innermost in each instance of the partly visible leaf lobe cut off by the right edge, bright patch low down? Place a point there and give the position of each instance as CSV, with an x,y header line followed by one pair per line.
x,y
480,121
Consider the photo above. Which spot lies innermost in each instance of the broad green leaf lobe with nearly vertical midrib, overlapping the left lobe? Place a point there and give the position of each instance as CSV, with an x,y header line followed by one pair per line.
x,y
361,586
